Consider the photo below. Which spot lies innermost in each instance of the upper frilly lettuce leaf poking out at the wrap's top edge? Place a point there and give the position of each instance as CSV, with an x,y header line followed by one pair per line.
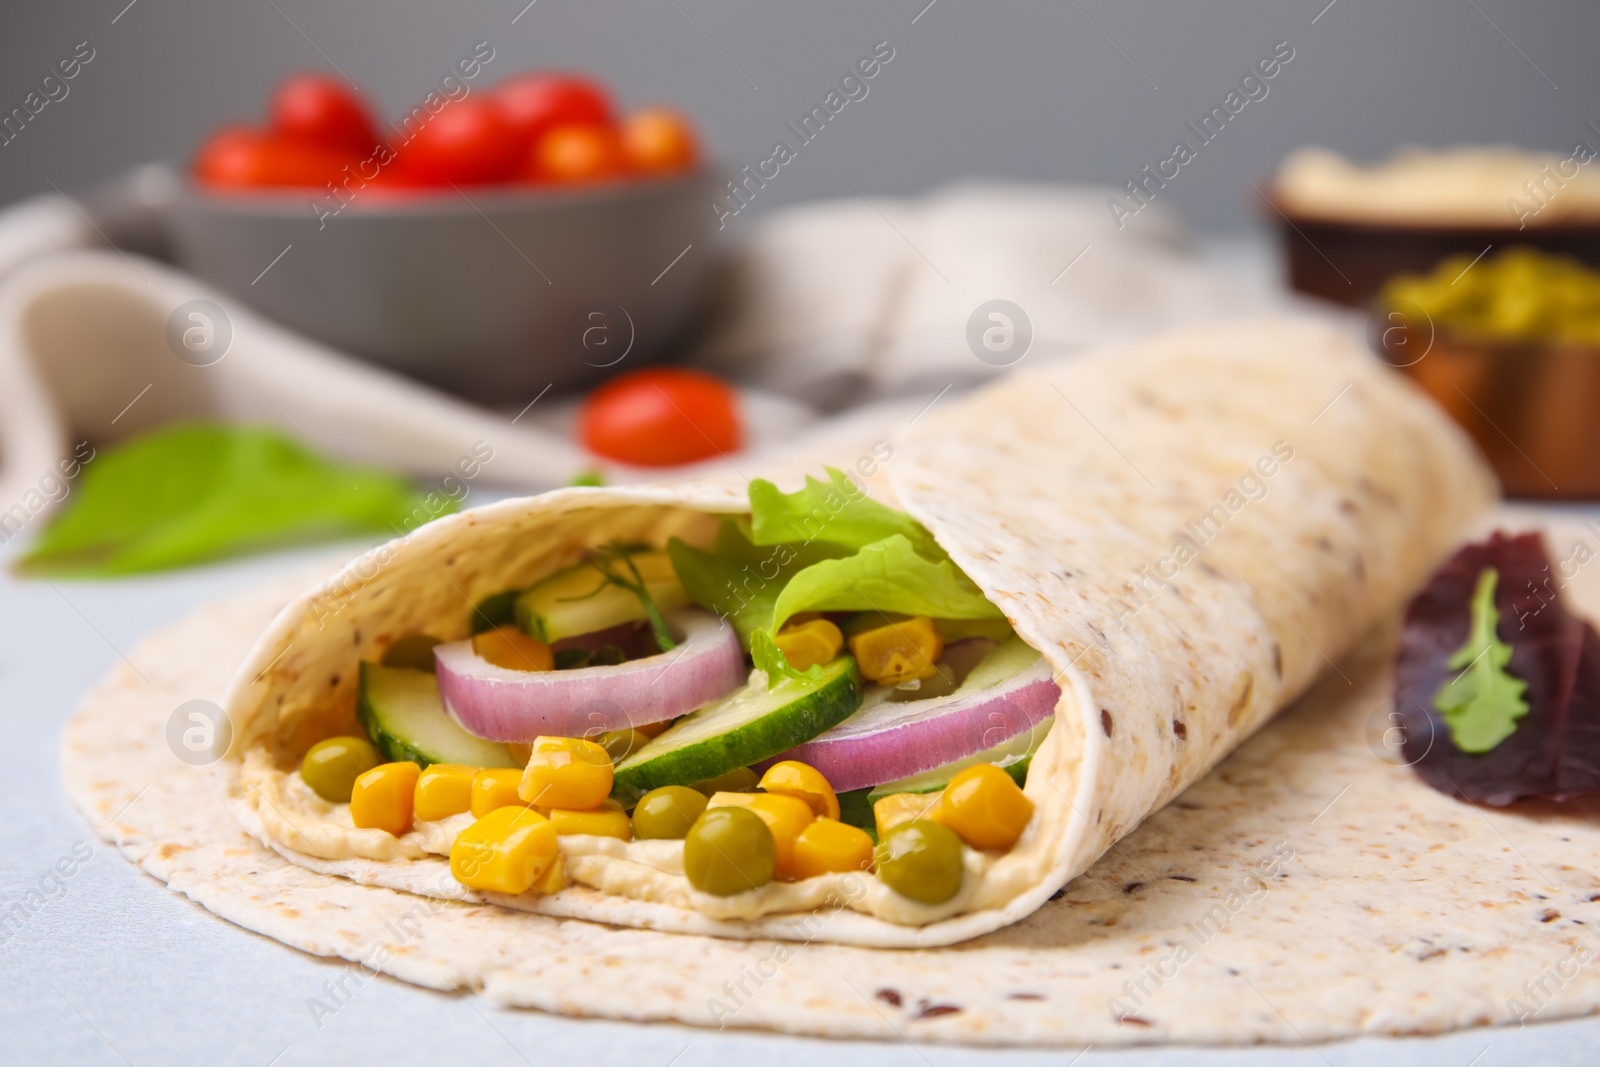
x,y
833,513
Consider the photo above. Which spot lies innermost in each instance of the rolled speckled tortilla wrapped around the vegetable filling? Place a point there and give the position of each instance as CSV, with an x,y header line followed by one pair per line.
x,y
1190,530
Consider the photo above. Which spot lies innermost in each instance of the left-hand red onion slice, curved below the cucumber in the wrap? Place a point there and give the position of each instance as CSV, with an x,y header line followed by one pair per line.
x,y
524,705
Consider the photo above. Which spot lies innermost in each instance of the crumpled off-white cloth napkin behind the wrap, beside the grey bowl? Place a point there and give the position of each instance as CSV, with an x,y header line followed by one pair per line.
x,y
826,306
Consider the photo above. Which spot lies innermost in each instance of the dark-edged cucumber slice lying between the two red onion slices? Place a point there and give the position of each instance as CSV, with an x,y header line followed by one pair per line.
x,y
743,729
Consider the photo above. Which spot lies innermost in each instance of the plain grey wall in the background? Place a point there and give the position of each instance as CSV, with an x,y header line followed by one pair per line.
x,y
1070,92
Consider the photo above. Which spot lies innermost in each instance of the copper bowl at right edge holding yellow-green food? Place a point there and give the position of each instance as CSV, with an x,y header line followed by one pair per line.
x,y
1534,407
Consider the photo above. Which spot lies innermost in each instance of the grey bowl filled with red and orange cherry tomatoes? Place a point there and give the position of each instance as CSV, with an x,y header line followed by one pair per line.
x,y
494,242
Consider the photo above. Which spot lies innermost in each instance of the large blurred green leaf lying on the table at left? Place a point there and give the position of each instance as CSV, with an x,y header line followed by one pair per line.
x,y
199,492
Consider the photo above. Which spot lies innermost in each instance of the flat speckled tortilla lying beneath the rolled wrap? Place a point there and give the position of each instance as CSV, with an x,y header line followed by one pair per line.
x,y
1394,909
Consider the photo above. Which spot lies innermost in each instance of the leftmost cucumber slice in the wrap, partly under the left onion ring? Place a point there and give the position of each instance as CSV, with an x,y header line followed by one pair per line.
x,y
402,714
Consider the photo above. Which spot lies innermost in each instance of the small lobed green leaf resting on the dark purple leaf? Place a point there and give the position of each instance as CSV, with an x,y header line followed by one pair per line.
x,y
1484,703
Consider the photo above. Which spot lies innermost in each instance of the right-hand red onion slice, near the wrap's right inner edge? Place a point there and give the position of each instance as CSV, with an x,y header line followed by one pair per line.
x,y
887,741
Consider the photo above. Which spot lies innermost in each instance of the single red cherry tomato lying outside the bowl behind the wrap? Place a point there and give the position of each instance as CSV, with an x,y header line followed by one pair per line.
x,y
660,418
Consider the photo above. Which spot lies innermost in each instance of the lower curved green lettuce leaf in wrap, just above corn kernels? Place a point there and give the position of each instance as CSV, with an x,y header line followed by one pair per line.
x,y
889,575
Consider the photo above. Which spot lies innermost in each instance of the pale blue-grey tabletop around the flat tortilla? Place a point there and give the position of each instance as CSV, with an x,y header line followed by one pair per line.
x,y
118,970
